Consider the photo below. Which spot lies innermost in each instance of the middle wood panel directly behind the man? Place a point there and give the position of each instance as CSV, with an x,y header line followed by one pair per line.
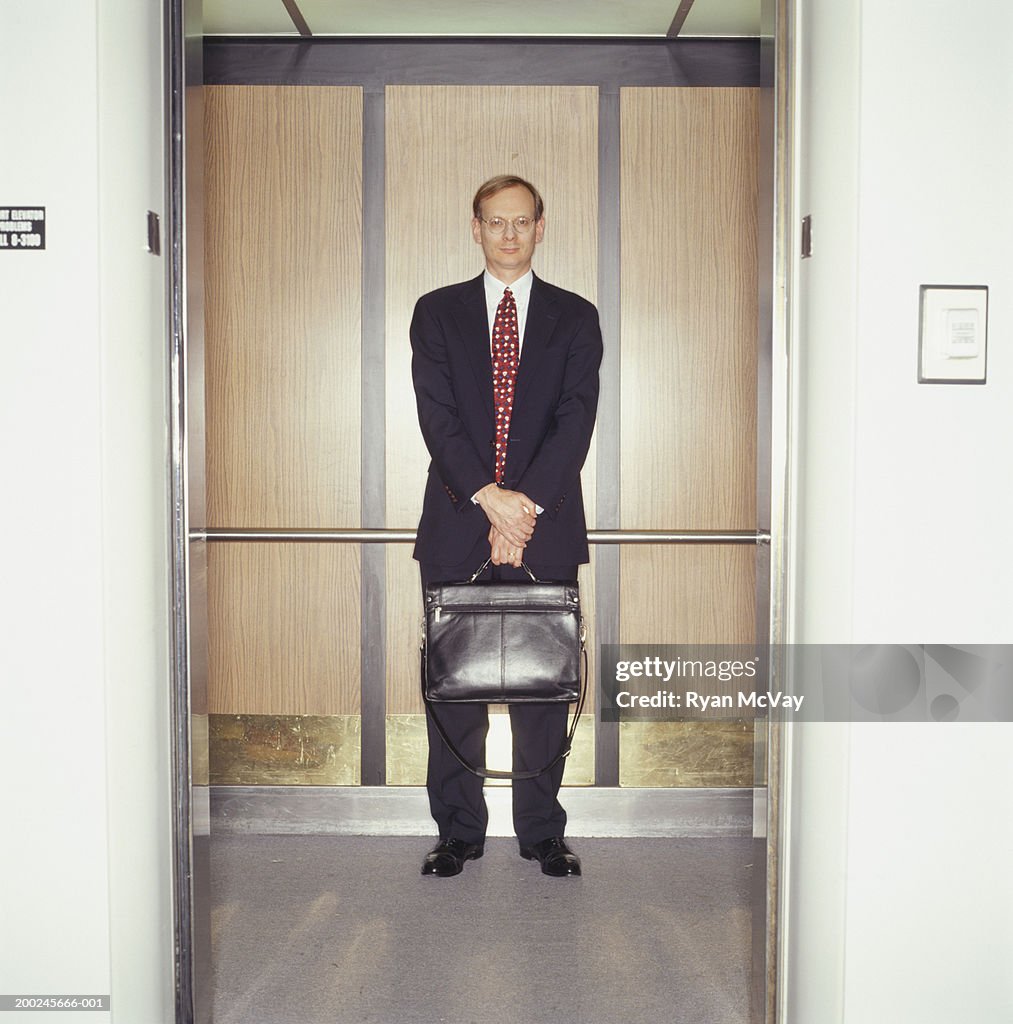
x,y
442,143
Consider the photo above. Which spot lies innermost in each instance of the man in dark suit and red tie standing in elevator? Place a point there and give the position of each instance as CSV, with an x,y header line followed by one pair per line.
x,y
505,369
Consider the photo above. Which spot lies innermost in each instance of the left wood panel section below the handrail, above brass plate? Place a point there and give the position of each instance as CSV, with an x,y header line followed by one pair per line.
x,y
283,629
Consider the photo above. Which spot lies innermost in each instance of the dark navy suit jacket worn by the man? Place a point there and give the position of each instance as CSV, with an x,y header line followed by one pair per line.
x,y
556,402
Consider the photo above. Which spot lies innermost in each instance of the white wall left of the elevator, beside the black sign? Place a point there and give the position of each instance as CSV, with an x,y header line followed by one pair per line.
x,y
86,861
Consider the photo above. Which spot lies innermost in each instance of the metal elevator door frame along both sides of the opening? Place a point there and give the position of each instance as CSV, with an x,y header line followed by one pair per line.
x,y
192,819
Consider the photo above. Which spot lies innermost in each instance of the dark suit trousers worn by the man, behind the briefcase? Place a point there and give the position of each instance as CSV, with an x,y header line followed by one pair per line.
x,y
456,797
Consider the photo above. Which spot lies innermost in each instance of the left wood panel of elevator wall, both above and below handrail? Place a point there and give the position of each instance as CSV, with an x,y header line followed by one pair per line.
x,y
283,252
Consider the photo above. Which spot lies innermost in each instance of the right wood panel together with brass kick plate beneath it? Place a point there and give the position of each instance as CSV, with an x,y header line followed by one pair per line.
x,y
689,399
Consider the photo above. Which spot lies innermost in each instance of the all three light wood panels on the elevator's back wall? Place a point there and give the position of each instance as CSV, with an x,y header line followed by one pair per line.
x,y
283,250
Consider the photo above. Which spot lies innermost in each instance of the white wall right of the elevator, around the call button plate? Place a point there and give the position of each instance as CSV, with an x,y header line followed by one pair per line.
x,y
900,894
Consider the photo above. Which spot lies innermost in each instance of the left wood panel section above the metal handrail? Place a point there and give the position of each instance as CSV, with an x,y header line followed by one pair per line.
x,y
283,186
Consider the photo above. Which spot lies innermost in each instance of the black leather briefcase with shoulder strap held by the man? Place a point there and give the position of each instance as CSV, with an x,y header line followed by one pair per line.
x,y
503,643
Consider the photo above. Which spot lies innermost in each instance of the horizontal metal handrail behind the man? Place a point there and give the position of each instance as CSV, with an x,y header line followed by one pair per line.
x,y
356,536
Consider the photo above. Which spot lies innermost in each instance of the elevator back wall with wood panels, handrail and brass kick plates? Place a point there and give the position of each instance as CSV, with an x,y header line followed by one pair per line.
x,y
325,210
